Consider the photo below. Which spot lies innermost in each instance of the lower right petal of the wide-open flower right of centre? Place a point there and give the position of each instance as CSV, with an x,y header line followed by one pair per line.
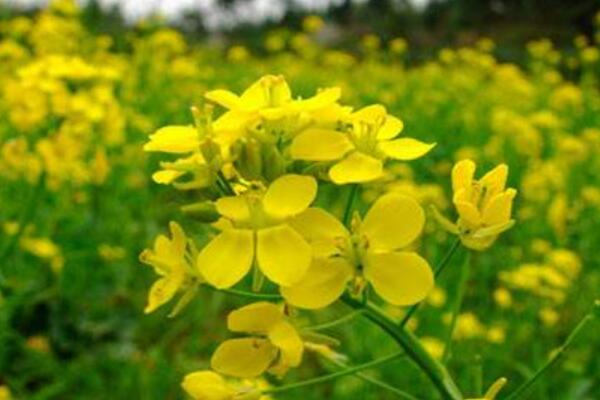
x,y
400,278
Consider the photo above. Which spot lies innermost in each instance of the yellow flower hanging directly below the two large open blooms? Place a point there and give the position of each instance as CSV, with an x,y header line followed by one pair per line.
x,y
275,345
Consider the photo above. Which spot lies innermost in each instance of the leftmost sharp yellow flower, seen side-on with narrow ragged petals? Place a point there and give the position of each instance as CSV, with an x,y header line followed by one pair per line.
x,y
169,260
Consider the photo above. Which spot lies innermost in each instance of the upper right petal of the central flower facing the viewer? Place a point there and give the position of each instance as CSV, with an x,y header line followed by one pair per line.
x,y
289,195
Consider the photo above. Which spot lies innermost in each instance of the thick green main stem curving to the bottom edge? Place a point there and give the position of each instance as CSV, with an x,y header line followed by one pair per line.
x,y
435,371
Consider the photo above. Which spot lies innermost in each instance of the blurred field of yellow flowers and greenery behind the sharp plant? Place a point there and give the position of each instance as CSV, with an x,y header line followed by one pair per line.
x,y
82,85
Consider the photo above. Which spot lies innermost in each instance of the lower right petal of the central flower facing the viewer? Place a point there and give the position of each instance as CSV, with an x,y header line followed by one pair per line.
x,y
282,254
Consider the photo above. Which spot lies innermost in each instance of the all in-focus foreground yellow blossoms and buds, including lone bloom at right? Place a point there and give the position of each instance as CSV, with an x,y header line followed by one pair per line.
x,y
257,171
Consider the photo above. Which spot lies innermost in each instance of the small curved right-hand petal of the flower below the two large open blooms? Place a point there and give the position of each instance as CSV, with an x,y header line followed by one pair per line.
x,y
285,337
